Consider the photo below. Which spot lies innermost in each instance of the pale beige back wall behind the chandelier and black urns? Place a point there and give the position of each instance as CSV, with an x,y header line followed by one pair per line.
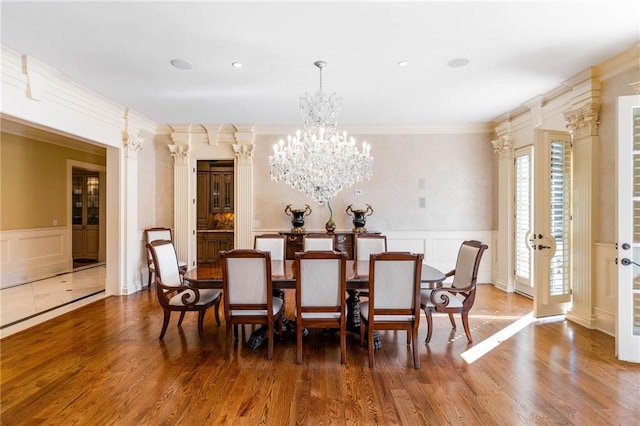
x,y
457,171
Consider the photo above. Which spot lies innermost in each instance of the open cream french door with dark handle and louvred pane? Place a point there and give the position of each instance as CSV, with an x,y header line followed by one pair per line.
x,y
550,240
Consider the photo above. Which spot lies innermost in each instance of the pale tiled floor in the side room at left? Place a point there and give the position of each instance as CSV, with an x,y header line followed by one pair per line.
x,y
28,304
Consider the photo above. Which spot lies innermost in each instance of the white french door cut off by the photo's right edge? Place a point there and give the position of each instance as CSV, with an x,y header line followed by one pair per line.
x,y
628,318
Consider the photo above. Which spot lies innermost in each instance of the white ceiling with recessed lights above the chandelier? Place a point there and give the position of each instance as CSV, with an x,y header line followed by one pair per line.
x,y
516,51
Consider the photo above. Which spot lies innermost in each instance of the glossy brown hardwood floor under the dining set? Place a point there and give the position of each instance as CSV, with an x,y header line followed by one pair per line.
x,y
104,364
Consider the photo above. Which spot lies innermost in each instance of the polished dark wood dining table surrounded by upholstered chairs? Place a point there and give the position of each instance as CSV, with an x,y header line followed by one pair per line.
x,y
209,275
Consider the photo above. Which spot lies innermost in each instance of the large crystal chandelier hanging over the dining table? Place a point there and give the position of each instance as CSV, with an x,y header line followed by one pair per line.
x,y
320,161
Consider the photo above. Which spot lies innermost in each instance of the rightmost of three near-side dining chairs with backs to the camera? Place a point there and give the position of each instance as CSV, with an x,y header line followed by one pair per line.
x,y
394,298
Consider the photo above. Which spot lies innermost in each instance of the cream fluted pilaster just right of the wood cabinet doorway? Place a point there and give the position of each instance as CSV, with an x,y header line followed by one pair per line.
x,y
243,207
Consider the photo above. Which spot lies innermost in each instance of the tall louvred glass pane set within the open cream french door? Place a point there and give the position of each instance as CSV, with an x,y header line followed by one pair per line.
x,y
560,216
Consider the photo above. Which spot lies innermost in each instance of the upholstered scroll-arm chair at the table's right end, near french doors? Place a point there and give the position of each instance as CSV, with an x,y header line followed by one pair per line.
x,y
459,297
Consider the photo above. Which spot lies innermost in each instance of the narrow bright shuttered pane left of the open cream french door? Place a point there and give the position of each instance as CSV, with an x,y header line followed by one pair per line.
x,y
523,216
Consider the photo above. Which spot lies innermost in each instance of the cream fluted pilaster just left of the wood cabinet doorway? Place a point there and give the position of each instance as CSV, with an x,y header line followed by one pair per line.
x,y
182,200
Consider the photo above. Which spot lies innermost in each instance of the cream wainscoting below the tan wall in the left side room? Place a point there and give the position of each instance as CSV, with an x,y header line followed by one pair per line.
x,y
32,254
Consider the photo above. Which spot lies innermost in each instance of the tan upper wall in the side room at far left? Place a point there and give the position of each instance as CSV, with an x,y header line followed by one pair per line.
x,y
33,182
